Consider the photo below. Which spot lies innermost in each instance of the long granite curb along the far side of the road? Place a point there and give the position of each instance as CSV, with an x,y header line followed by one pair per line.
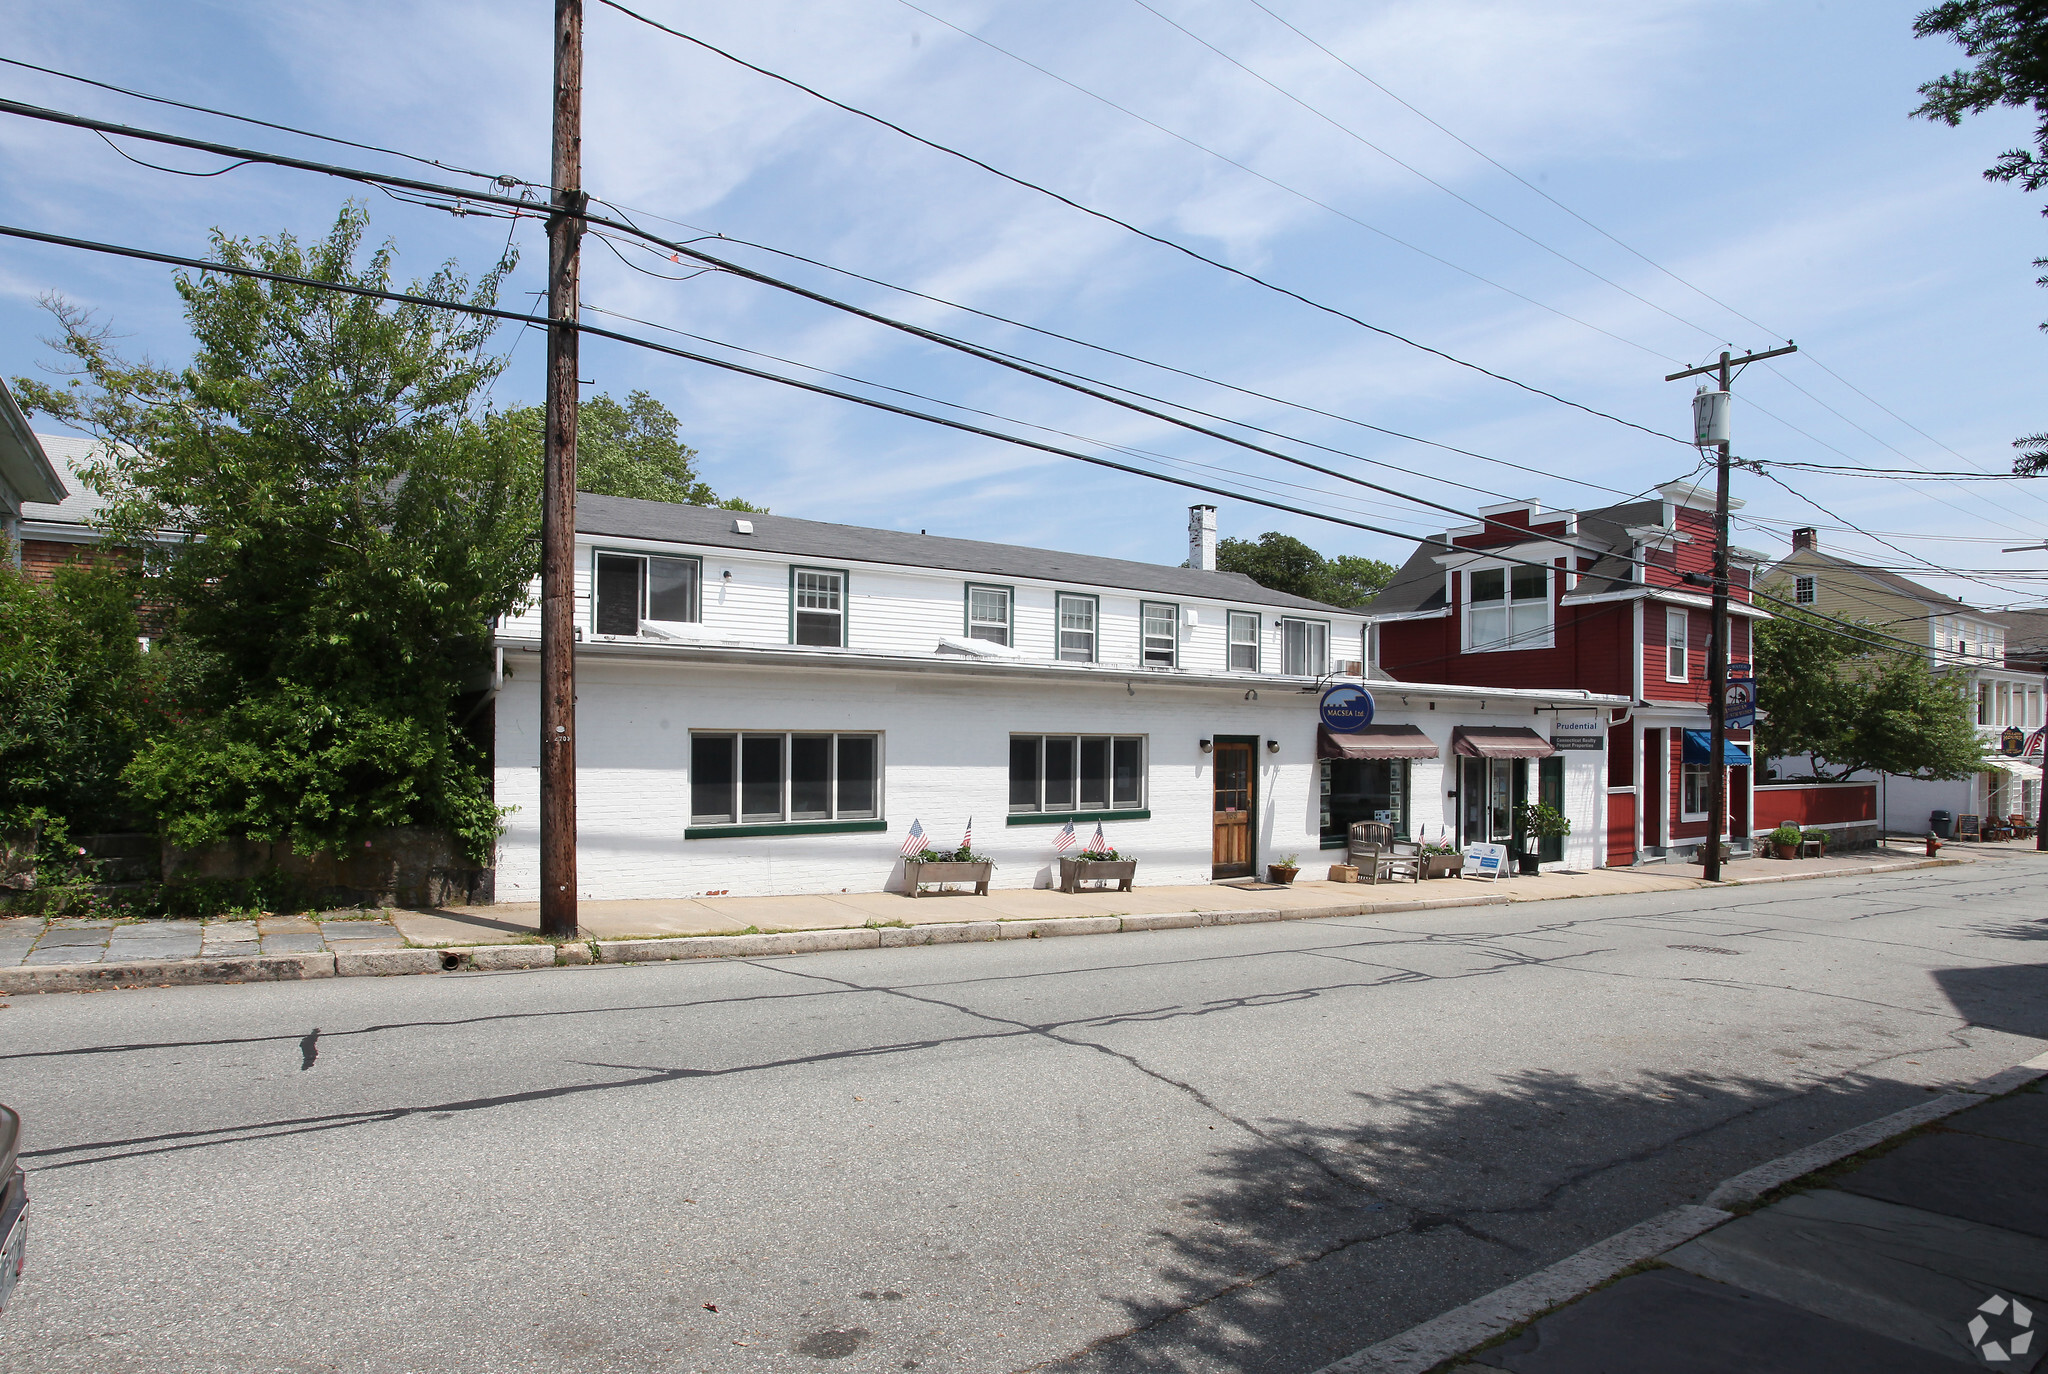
x,y
665,949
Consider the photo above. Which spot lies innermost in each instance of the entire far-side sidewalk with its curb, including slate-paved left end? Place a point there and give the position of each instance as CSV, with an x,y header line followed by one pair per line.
x,y
75,953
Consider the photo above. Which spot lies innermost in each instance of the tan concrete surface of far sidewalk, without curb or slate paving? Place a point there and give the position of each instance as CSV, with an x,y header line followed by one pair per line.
x,y
720,916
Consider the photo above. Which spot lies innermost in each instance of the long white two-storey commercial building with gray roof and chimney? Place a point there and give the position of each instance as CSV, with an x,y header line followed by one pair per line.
x,y
767,705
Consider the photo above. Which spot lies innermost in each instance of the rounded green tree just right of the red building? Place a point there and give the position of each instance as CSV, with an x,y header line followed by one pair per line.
x,y
1850,707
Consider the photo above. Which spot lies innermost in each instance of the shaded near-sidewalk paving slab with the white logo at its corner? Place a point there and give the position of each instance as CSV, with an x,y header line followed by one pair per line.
x,y
1895,1271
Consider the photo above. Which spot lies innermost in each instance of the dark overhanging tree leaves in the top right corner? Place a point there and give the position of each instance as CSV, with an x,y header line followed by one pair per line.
x,y
2010,44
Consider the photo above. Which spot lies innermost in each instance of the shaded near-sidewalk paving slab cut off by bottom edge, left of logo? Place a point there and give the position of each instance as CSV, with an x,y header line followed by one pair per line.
x,y
1680,1324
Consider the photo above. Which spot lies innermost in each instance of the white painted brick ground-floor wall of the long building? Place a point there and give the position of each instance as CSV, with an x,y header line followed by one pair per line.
x,y
945,755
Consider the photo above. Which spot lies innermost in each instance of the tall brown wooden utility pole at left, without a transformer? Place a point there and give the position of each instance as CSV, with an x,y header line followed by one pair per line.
x,y
558,486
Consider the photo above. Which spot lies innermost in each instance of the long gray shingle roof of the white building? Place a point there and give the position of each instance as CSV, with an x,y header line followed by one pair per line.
x,y
816,540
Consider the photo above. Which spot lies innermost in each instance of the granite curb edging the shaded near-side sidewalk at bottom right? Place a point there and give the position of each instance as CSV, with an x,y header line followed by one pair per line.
x,y
1447,1338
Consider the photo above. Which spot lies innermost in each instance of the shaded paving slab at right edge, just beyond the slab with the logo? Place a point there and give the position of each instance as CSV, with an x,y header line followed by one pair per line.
x,y
1969,1176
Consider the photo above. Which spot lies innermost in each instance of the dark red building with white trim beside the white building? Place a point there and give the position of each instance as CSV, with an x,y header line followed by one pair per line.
x,y
1605,601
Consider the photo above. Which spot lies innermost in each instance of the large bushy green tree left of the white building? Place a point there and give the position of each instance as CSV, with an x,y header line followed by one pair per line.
x,y
355,519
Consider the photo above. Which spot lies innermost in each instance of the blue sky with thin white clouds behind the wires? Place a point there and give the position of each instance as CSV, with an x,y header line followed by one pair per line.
x,y
1760,153
